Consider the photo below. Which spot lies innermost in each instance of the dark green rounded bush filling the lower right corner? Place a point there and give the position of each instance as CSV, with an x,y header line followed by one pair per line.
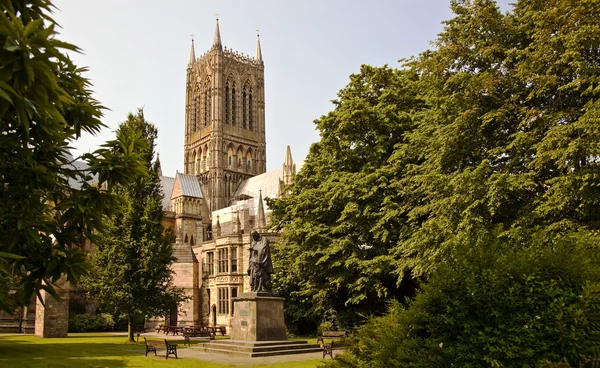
x,y
493,306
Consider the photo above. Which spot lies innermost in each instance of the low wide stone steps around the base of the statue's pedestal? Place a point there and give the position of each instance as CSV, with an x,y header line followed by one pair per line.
x,y
258,348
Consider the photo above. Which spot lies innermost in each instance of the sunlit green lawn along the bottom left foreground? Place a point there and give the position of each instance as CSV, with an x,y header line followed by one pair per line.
x,y
96,350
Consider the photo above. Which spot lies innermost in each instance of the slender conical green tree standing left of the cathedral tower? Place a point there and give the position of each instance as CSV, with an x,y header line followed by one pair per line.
x,y
131,268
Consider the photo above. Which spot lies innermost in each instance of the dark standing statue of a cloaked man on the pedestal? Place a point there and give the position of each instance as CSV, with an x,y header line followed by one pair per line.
x,y
260,266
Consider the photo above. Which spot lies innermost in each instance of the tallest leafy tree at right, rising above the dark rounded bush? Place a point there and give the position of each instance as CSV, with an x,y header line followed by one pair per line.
x,y
510,139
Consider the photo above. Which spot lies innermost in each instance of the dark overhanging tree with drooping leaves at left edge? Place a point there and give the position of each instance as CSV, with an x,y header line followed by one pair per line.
x,y
49,207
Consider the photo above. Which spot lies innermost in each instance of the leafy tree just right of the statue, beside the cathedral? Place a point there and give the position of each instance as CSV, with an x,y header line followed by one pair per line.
x,y
332,219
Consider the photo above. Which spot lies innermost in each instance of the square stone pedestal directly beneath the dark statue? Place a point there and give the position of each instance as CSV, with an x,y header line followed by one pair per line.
x,y
258,317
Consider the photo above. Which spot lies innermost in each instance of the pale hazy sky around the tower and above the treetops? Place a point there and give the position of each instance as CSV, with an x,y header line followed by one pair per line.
x,y
137,53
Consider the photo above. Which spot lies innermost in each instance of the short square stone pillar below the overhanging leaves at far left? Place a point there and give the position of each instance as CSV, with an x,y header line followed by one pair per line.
x,y
52,320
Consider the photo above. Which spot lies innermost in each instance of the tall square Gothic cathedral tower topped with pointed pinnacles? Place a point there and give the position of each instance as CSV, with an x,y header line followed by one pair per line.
x,y
224,120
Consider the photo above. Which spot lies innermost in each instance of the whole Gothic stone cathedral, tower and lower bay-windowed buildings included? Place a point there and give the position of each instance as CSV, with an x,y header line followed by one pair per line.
x,y
219,198
